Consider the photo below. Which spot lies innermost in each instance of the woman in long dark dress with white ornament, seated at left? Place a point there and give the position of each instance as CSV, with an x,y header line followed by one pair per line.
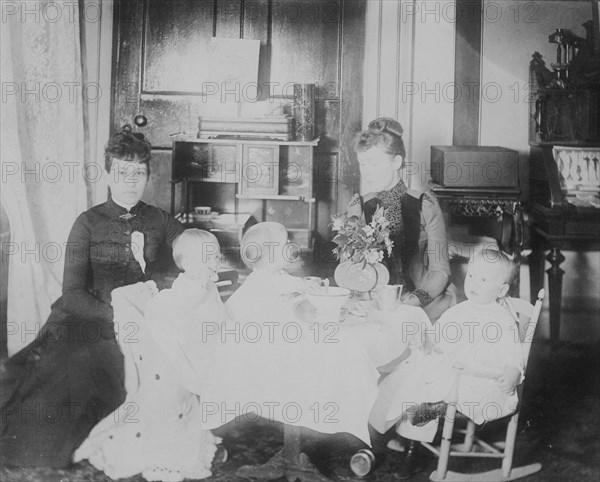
x,y
58,387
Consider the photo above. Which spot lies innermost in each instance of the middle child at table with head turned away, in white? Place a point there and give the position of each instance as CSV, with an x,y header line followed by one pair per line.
x,y
269,291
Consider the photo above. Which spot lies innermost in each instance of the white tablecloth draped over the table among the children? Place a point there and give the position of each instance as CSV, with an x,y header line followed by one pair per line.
x,y
320,376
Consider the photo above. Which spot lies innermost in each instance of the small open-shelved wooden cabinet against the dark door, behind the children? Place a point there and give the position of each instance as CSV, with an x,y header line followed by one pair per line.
x,y
271,179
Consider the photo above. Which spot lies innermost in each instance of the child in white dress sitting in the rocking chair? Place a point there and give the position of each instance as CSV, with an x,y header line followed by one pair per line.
x,y
480,338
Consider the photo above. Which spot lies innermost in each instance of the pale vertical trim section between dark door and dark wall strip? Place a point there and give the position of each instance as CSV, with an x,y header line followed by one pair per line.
x,y
409,66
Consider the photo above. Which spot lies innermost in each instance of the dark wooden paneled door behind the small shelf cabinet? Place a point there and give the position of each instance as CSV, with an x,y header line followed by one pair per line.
x,y
161,71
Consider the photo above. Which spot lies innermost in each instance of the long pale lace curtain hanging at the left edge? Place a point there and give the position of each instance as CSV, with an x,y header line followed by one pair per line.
x,y
42,155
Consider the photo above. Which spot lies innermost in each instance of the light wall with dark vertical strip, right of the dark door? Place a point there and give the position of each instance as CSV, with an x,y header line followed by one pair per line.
x,y
417,49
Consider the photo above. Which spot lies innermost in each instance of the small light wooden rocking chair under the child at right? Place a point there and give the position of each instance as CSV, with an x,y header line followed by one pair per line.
x,y
474,446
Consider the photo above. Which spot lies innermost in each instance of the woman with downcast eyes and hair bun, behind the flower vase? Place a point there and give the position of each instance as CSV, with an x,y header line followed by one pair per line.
x,y
419,258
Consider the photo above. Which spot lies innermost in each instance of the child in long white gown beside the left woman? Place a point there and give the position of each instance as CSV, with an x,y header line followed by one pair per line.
x,y
158,430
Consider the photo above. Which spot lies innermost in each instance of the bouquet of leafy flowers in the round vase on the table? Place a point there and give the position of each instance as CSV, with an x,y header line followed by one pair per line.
x,y
361,242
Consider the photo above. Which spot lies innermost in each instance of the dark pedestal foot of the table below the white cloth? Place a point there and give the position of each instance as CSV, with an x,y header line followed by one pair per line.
x,y
289,462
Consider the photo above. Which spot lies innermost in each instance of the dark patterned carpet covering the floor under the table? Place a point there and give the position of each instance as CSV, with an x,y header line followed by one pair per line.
x,y
559,427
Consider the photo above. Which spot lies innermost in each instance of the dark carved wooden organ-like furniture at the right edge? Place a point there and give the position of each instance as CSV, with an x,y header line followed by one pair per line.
x,y
564,117
